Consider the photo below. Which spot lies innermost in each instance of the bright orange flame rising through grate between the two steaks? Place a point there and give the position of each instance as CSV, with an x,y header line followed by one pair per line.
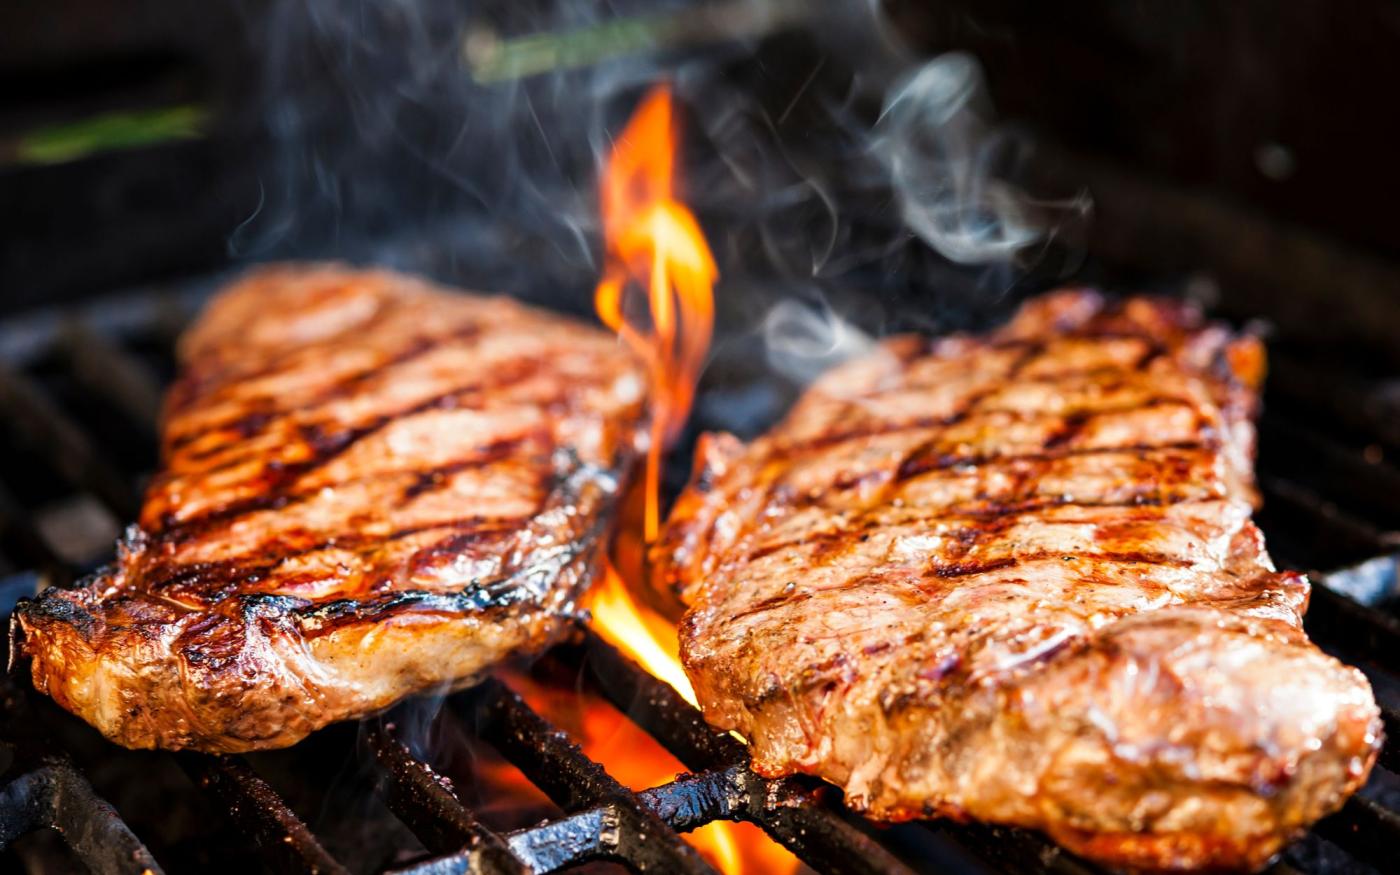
x,y
654,243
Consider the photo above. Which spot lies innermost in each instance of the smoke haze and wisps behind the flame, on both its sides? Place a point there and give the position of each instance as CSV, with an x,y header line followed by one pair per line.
x,y
467,138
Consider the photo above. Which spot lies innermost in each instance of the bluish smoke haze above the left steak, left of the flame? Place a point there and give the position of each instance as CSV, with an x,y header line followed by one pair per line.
x,y
380,136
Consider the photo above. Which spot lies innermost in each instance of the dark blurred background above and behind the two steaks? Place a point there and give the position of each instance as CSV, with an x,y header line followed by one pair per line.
x,y
1251,143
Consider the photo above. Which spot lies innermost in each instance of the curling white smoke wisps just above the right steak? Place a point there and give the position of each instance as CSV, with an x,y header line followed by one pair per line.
x,y
950,167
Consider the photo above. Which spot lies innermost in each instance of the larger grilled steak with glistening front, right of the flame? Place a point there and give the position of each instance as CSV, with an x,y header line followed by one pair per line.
x,y
1014,579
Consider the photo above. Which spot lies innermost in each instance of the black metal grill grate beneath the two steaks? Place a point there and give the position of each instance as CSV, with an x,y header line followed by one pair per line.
x,y
1331,499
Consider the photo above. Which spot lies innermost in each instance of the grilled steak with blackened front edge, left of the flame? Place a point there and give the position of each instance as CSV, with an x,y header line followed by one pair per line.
x,y
370,488
